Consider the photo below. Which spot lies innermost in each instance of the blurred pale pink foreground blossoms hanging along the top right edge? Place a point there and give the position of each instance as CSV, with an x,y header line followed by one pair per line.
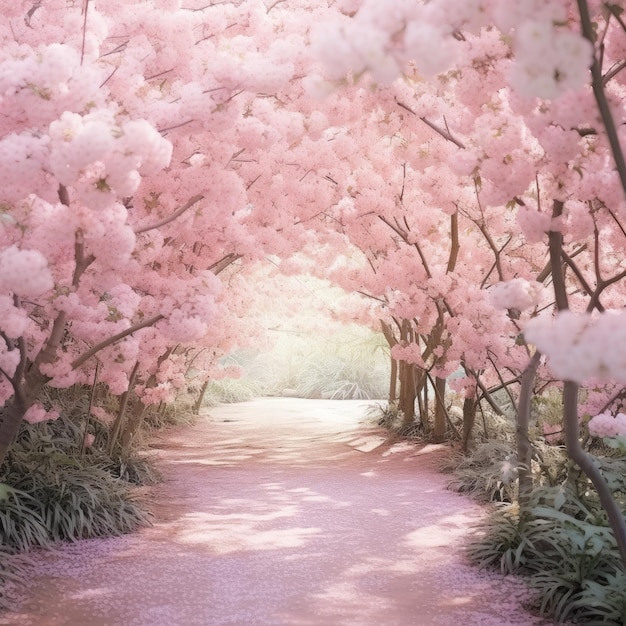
x,y
385,39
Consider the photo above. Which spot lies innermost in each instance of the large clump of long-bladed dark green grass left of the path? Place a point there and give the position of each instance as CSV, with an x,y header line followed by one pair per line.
x,y
53,493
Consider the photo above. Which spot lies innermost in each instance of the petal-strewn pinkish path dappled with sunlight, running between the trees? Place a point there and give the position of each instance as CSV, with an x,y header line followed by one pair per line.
x,y
283,512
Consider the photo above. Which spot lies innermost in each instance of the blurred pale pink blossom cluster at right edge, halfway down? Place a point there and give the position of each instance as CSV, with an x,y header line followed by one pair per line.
x,y
581,347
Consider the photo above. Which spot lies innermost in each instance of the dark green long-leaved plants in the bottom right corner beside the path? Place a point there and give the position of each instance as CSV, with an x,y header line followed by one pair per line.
x,y
563,543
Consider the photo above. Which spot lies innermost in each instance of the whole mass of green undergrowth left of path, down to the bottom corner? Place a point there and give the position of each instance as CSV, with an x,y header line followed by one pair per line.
x,y
53,490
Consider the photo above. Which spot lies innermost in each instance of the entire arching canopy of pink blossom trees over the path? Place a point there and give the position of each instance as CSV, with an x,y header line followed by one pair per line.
x,y
460,166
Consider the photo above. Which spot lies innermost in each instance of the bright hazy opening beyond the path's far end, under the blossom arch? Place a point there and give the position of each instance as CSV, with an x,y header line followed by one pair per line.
x,y
310,347
